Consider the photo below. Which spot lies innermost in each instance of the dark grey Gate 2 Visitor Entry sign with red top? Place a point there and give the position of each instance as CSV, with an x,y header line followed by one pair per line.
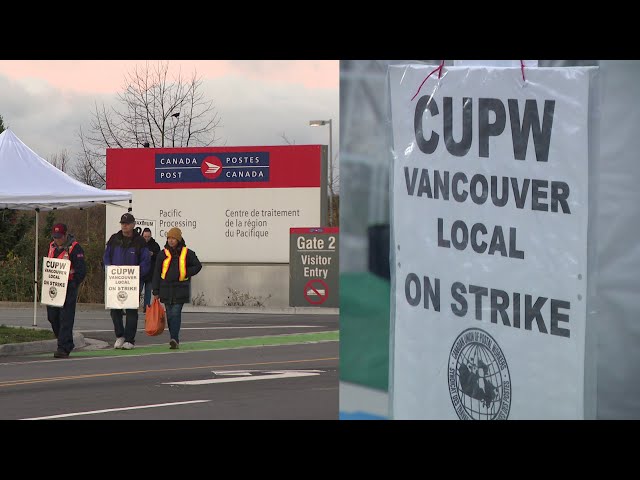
x,y
313,267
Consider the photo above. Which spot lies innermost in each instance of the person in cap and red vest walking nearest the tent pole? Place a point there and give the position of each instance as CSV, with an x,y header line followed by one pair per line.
x,y
65,246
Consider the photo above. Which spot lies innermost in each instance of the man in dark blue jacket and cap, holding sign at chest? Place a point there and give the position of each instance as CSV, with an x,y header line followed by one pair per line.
x,y
127,247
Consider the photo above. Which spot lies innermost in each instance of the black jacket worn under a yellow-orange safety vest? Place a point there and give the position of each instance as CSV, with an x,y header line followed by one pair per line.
x,y
171,289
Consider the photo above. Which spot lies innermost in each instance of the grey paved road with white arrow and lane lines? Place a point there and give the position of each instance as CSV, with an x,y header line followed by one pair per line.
x,y
281,381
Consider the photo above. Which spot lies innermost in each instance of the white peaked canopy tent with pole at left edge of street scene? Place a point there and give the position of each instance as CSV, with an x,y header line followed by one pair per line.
x,y
29,182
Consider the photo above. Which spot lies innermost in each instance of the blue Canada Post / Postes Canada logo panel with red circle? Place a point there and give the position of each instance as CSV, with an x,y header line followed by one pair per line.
x,y
212,167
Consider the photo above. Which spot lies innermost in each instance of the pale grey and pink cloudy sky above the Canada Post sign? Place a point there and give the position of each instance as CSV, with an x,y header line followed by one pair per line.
x,y
45,102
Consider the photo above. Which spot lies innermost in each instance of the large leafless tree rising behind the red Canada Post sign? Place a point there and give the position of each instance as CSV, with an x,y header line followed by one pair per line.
x,y
153,111
